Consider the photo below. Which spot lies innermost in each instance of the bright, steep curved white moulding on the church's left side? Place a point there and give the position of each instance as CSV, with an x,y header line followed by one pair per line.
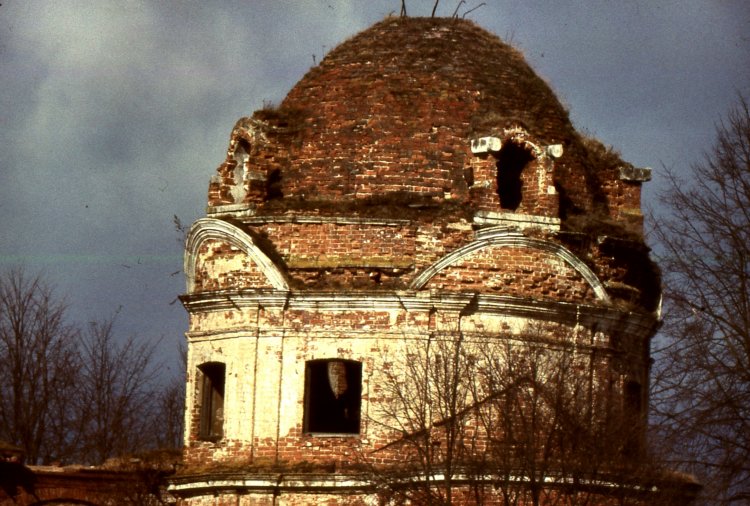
x,y
212,228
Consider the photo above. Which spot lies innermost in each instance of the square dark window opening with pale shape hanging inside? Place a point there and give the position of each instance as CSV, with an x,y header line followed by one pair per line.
x,y
333,391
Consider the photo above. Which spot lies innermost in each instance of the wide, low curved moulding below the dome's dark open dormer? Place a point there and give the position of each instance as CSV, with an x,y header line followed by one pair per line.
x,y
504,237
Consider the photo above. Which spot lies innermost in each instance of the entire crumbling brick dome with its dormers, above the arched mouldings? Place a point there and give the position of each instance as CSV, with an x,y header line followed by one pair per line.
x,y
380,134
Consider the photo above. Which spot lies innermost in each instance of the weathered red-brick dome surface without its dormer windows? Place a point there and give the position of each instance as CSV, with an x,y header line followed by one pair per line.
x,y
394,108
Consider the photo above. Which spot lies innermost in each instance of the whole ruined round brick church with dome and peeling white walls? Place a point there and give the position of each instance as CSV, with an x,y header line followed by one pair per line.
x,y
420,185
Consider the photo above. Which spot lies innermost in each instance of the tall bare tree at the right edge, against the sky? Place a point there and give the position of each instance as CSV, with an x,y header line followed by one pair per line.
x,y
702,375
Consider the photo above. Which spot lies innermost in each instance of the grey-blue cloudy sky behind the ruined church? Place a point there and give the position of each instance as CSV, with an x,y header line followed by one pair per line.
x,y
114,114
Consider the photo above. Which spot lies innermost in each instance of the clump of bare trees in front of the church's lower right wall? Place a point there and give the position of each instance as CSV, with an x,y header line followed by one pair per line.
x,y
537,418
